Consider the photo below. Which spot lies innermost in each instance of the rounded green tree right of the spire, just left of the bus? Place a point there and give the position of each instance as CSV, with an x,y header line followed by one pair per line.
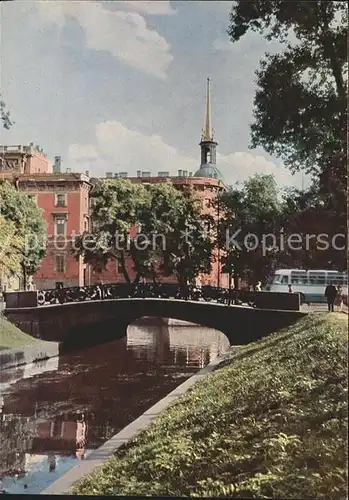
x,y
248,229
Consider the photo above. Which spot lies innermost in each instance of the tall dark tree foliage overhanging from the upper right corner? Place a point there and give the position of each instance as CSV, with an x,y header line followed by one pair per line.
x,y
300,105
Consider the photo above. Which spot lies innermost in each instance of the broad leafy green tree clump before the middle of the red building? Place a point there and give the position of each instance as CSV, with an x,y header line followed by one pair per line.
x,y
147,225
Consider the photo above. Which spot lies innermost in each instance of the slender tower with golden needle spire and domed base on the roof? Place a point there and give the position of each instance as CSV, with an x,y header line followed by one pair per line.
x,y
208,145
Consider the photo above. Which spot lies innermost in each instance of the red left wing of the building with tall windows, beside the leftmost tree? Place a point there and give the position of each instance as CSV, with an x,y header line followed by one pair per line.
x,y
64,199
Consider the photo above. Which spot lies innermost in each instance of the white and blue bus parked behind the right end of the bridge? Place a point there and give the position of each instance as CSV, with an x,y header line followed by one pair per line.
x,y
310,284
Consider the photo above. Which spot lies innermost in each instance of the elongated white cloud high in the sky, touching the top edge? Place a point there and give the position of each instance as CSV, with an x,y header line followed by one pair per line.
x,y
125,35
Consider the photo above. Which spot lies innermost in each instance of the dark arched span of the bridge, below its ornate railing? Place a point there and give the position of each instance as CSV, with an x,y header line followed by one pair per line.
x,y
76,321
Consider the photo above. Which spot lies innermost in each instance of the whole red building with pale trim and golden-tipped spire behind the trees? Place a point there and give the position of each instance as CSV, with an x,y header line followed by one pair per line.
x,y
64,199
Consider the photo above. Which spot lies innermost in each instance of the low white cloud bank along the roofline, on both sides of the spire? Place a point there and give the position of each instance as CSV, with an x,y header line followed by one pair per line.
x,y
119,149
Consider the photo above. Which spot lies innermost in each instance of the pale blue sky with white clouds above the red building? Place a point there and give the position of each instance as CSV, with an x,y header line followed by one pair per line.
x,y
120,86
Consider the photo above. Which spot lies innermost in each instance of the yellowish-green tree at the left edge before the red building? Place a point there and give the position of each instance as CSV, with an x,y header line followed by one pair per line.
x,y
28,219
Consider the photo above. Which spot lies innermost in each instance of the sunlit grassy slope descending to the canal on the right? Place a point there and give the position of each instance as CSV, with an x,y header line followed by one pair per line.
x,y
270,423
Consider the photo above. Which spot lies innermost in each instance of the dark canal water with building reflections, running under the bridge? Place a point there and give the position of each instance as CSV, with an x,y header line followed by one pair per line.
x,y
54,413
